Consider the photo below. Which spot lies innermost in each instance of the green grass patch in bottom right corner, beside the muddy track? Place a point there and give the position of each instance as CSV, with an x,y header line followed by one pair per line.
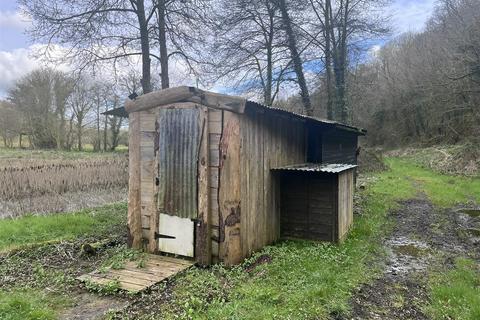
x,y
455,294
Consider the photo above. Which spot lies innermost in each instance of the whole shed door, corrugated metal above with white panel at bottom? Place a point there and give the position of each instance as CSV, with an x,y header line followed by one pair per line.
x,y
178,145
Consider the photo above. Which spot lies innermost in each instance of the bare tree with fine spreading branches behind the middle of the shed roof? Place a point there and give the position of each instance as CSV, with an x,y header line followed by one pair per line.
x,y
248,50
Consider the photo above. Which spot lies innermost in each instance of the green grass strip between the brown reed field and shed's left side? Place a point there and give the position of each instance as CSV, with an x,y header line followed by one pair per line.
x,y
29,230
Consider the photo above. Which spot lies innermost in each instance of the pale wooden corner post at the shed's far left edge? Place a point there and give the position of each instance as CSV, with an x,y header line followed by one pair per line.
x,y
134,223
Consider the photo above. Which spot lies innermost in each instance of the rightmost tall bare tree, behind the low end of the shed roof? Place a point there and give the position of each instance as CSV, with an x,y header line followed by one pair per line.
x,y
346,25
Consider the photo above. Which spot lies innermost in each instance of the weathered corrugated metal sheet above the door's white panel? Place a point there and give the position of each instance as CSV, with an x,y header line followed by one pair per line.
x,y
178,142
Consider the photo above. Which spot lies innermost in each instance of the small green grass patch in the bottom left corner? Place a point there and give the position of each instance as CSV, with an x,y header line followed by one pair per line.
x,y
30,304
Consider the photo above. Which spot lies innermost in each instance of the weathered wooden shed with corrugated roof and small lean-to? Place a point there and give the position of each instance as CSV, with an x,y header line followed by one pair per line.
x,y
215,177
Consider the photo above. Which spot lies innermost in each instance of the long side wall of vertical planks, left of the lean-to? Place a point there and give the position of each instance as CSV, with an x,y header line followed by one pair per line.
x,y
264,141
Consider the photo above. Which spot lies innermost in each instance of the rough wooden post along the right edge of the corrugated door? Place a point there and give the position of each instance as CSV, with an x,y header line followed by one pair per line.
x,y
203,242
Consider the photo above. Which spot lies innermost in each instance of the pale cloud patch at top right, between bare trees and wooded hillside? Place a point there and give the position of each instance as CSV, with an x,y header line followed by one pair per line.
x,y
411,15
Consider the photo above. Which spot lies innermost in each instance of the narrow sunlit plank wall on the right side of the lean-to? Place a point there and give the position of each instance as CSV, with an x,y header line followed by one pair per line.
x,y
345,203
